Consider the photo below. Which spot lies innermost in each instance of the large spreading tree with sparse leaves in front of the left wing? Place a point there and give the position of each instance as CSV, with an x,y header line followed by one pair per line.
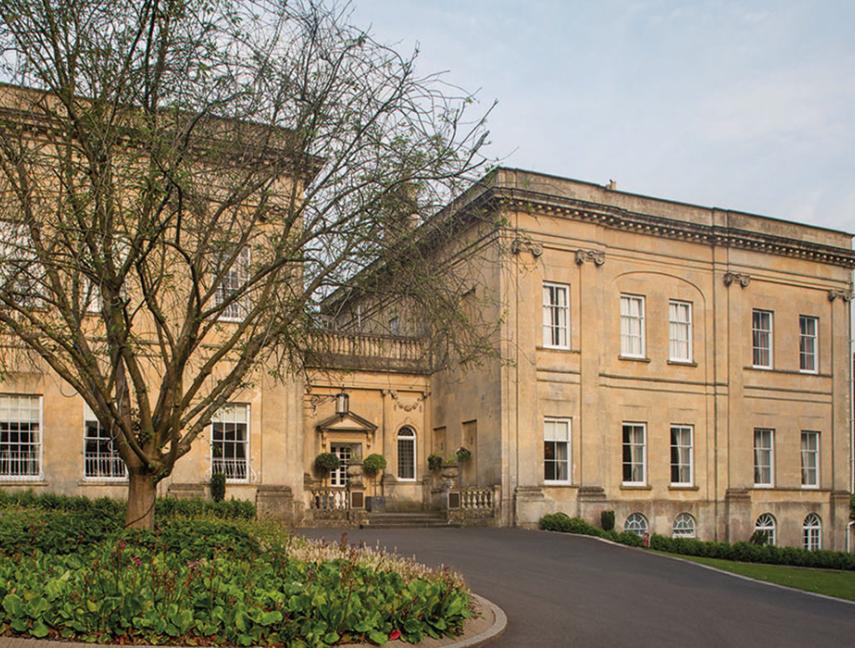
x,y
184,182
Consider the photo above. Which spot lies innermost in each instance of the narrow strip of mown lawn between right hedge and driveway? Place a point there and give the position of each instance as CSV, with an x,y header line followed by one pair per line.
x,y
821,581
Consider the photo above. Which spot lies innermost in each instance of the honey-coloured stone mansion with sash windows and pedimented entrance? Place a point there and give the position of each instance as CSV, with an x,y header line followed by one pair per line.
x,y
686,367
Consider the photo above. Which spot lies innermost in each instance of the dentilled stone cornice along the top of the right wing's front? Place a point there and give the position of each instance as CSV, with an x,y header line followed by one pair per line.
x,y
618,218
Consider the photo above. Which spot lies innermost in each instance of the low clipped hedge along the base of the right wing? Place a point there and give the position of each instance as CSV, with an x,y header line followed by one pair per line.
x,y
739,551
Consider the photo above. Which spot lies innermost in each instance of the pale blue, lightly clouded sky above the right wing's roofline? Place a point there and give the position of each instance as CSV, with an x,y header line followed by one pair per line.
x,y
738,105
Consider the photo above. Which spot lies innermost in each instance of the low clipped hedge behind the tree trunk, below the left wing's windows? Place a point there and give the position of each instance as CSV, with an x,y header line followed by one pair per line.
x,y
115,508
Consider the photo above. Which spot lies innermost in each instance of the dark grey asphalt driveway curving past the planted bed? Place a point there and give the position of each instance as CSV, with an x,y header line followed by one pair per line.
x,y
562,590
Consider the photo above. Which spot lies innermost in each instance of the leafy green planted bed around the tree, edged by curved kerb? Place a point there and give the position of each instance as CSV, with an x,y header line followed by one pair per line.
x,y
210,581
